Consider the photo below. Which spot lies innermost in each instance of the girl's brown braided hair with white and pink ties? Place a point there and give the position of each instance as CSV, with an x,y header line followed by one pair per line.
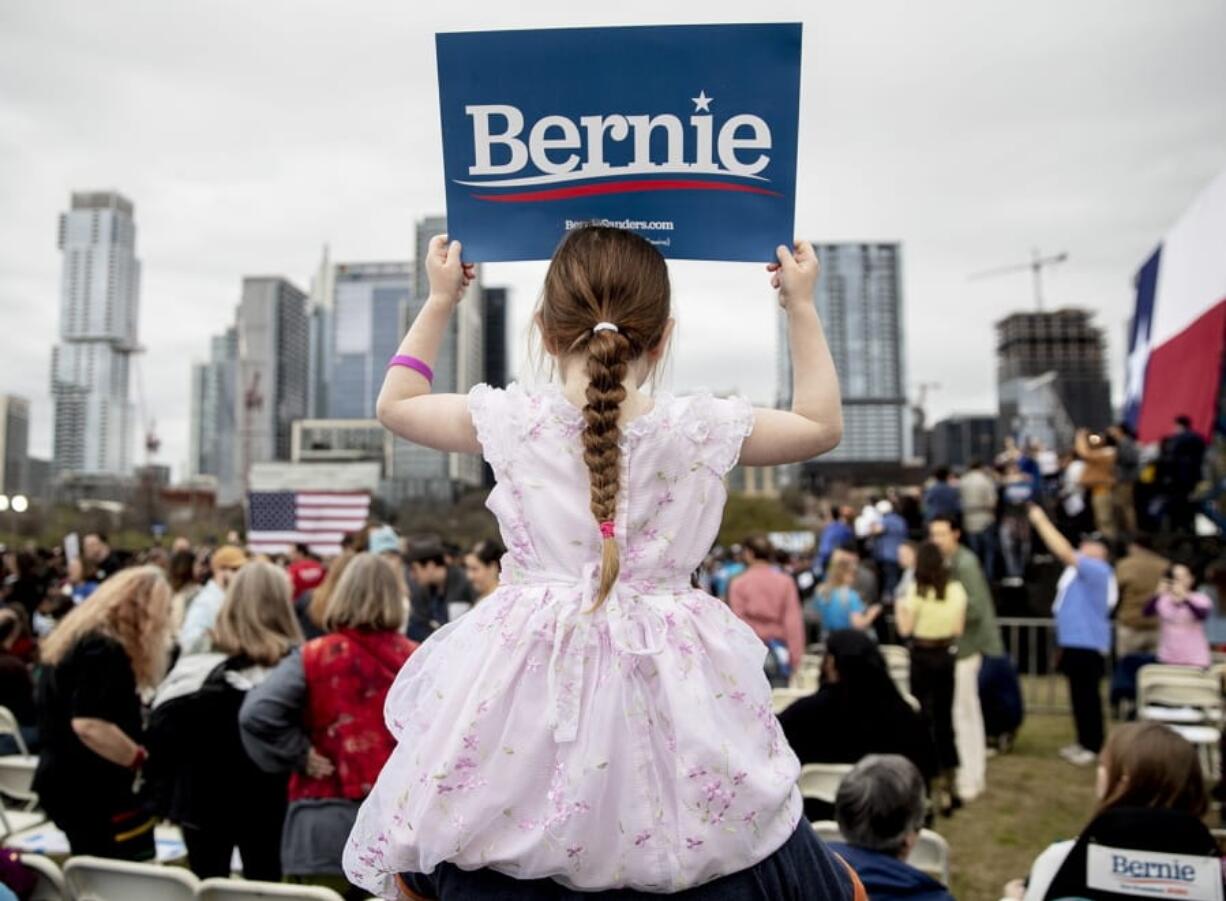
x,y
605,275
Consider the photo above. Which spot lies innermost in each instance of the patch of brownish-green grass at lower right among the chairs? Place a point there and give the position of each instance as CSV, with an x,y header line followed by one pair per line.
x,y
1034,799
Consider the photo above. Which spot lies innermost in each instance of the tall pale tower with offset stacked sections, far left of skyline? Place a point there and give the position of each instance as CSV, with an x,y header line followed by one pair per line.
x,y
100,306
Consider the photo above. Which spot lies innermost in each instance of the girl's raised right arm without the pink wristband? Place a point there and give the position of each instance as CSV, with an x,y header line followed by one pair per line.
x,y
815,425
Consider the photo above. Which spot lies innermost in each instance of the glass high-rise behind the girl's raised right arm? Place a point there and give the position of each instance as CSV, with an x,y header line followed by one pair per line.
x,y
860,301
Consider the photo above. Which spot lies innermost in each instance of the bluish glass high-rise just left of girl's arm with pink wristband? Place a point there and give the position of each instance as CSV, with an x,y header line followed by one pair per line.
x,y
368,305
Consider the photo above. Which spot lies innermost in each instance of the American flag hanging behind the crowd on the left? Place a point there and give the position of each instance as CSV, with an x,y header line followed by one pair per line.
x,y
279,520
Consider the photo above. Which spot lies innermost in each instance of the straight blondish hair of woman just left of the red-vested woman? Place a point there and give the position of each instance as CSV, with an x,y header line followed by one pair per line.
x,y
258,618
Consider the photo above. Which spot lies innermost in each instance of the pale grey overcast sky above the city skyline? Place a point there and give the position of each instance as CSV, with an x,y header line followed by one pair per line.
x,y
249,134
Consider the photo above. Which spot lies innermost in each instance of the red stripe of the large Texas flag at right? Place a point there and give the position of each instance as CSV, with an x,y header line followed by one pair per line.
x,y
1182,378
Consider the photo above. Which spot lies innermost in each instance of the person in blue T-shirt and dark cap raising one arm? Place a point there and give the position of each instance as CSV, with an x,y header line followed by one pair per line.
x,y
1084,600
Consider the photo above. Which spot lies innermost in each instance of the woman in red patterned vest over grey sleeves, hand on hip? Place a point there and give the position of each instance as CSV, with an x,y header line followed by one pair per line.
x,y
321,717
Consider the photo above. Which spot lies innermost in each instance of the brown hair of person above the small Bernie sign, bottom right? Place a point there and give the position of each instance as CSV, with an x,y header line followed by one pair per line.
x,y
1151,766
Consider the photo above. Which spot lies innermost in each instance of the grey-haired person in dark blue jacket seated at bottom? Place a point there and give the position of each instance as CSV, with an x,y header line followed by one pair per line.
x,y
881,811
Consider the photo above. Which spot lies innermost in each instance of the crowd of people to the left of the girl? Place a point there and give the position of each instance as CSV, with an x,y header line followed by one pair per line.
x,y
237,697
